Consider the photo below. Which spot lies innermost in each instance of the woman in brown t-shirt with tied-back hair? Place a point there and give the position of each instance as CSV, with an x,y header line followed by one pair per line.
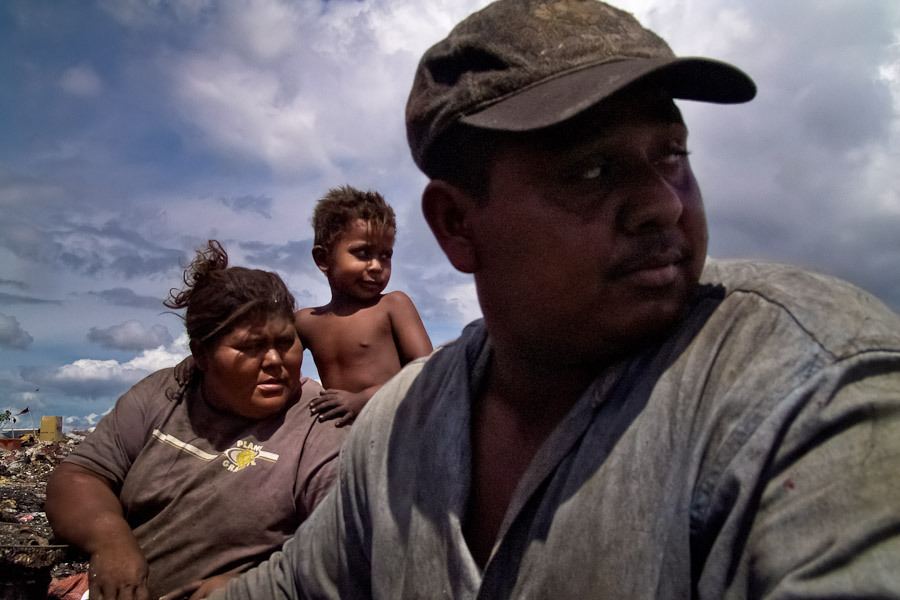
x,y
202,470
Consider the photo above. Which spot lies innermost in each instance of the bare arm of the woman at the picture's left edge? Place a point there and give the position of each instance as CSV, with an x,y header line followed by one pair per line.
x,y
85,511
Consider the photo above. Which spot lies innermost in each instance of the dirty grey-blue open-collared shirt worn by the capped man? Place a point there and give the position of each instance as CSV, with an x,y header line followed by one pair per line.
x,y
754,453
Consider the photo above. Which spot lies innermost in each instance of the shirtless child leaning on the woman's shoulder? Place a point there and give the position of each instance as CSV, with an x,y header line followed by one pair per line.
x,y
362,337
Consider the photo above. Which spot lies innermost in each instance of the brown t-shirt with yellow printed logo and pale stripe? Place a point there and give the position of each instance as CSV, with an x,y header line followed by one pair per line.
x,y
205,491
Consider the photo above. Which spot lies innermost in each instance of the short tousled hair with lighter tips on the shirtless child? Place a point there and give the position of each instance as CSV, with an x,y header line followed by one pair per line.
x,y
341,206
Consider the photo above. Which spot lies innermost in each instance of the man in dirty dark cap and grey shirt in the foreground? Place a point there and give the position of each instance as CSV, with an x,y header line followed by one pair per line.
x,y
630,419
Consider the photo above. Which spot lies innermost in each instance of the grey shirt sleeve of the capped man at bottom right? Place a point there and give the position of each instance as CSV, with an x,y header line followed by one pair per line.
x,y
821,518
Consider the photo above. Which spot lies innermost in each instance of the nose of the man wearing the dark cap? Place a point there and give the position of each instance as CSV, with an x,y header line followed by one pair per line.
x,y
651,202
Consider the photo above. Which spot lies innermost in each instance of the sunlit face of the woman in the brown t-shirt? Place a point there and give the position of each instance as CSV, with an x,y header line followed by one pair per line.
x,y
254,369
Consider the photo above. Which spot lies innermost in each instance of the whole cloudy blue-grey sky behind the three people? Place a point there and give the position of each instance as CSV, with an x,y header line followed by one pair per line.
x,y
131,131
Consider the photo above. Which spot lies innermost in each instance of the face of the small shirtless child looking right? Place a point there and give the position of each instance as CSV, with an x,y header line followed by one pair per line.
x,y
359,264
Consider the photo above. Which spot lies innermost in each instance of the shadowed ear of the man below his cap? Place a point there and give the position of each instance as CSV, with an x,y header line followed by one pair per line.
x,y
448,211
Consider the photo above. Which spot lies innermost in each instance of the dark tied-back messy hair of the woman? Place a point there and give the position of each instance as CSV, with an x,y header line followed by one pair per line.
x,y
217,297
